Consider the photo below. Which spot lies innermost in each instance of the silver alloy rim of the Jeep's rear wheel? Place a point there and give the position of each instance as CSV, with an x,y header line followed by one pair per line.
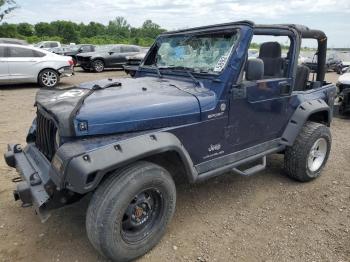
x,y
317,154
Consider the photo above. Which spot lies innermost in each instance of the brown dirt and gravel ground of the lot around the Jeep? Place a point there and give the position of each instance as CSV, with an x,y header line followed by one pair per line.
x,y
230,218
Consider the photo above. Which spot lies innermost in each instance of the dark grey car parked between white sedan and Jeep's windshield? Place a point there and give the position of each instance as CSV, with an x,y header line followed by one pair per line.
x,y
109,56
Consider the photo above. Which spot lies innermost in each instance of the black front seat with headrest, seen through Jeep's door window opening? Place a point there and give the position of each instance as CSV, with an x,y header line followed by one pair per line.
x,y
271,54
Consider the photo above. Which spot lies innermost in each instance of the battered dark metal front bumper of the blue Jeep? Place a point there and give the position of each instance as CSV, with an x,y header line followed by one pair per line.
x,y
34,182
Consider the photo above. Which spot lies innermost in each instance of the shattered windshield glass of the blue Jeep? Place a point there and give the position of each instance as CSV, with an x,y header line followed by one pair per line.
x,y
204,52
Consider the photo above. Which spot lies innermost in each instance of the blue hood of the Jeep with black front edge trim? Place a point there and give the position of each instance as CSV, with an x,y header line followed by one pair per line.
x,y
125,105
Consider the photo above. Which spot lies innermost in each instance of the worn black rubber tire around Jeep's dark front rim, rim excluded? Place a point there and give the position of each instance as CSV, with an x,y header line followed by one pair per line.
x,y
110,214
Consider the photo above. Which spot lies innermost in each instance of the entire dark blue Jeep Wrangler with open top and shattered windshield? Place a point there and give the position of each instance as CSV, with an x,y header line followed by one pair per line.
x,y
198,107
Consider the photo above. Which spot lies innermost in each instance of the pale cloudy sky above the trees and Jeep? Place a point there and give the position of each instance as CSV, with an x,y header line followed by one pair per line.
x,y
331,16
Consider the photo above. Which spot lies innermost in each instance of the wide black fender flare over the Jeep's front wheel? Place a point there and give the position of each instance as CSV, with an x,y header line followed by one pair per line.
x,y
99,162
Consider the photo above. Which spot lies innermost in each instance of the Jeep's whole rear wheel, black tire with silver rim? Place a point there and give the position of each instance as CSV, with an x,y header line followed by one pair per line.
x,y
305,160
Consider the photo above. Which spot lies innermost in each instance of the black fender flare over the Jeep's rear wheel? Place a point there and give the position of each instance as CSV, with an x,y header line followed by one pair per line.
x,y
303,112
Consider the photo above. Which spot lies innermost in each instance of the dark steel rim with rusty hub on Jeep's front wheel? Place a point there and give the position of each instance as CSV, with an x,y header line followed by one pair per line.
x,y
142,215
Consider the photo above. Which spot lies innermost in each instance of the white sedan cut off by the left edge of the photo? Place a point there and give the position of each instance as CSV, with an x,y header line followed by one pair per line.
x,y
24,64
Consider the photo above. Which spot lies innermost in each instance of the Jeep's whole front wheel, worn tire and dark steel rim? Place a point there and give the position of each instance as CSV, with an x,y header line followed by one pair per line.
x,y
130,210
